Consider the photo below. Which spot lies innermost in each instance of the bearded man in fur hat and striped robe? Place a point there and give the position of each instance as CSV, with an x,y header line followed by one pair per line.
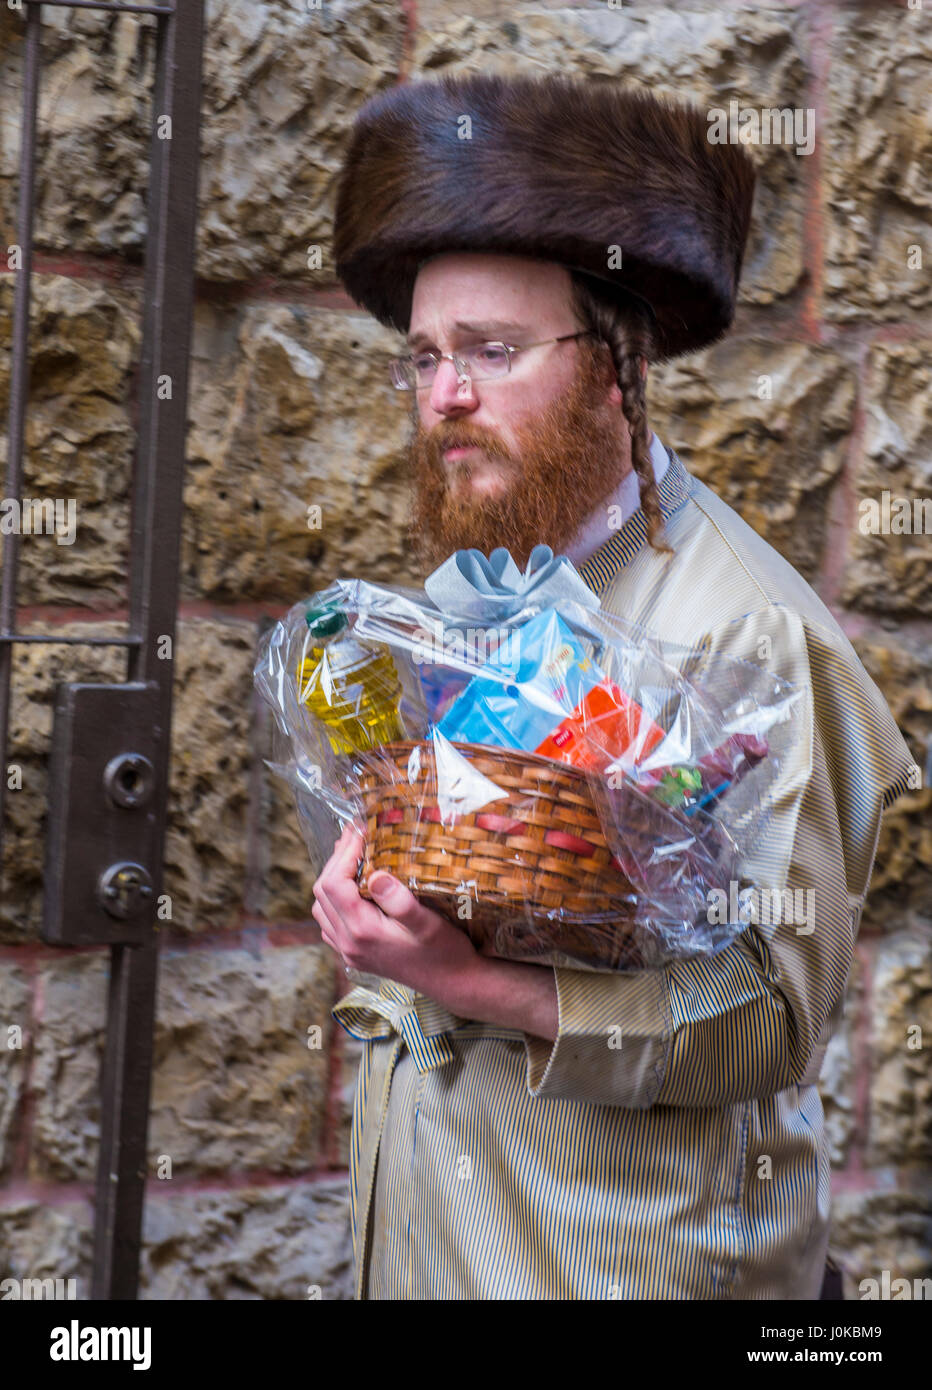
x,y
504,1146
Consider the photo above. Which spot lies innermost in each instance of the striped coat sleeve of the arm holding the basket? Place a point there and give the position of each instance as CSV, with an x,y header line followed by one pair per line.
x,y
755,1018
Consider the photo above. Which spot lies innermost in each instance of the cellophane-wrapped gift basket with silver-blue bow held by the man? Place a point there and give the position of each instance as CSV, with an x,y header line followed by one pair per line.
x,y
562,785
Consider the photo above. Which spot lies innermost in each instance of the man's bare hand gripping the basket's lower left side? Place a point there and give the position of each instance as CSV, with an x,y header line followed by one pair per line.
x,y
401,939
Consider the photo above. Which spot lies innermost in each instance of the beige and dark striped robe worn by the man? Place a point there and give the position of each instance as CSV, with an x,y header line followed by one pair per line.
x,y
692,1163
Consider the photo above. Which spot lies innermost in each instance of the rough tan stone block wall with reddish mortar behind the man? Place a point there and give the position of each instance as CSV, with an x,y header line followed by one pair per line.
x,y
291,408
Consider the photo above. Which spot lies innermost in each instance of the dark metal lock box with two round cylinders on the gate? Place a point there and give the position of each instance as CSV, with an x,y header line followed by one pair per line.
x,y
102,840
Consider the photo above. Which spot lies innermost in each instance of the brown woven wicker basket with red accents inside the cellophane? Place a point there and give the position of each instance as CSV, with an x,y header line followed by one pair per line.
x,y
535,868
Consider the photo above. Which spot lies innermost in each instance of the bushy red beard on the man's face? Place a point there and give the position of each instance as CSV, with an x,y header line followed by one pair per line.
x,y
567,462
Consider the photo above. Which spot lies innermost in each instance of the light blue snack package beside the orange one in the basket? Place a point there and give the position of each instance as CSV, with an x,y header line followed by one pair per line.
x,y
517,704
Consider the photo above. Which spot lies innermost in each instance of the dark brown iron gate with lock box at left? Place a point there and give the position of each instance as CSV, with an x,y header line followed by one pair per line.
x,y
109,767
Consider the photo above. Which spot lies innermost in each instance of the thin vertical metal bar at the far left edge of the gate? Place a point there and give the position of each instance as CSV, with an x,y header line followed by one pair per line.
x,y
19,369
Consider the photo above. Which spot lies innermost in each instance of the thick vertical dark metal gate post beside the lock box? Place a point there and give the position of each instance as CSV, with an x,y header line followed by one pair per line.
x,y
153,598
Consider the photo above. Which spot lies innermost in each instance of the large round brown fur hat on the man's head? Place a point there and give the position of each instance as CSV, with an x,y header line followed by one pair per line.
x,y
558,169
